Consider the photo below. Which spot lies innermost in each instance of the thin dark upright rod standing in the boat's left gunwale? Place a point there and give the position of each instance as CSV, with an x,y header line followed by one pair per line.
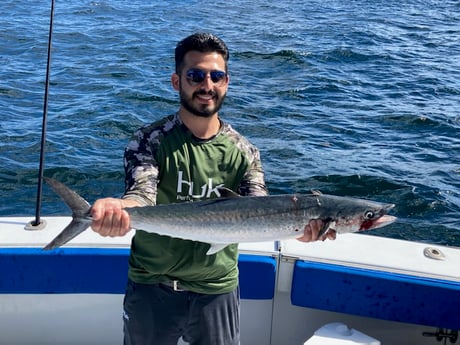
x,y
37,223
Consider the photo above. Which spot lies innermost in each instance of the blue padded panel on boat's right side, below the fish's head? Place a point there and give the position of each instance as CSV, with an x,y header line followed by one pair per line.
x,y
383,295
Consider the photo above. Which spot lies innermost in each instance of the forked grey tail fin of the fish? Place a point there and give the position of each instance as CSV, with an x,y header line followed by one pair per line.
x,y
80,212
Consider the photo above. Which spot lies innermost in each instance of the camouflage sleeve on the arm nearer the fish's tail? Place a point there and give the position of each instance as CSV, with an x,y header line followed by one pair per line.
x,y
141,169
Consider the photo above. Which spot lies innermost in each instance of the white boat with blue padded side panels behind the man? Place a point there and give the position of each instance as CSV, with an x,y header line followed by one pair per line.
x,y
388,291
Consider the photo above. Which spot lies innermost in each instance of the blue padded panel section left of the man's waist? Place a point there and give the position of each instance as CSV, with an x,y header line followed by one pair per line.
x,y
69,270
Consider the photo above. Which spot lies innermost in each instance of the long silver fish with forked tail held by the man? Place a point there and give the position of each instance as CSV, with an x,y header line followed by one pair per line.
x,y
232,218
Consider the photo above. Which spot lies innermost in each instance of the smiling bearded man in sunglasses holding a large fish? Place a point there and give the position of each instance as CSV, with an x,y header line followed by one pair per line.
x,y
174,288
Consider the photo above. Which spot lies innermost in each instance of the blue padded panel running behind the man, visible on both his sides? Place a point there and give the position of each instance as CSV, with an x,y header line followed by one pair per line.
x,y
103,271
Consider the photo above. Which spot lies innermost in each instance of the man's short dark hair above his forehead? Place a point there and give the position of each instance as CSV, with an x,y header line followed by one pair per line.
x,y
203,43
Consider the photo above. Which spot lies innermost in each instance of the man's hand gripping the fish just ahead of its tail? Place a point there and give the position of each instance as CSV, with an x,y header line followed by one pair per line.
x,y
109,218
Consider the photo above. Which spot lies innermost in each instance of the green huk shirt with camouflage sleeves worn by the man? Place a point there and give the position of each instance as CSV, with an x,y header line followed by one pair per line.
x,y
165,163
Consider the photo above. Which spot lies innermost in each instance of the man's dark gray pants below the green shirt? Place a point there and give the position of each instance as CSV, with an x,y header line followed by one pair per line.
x,y
155,314
